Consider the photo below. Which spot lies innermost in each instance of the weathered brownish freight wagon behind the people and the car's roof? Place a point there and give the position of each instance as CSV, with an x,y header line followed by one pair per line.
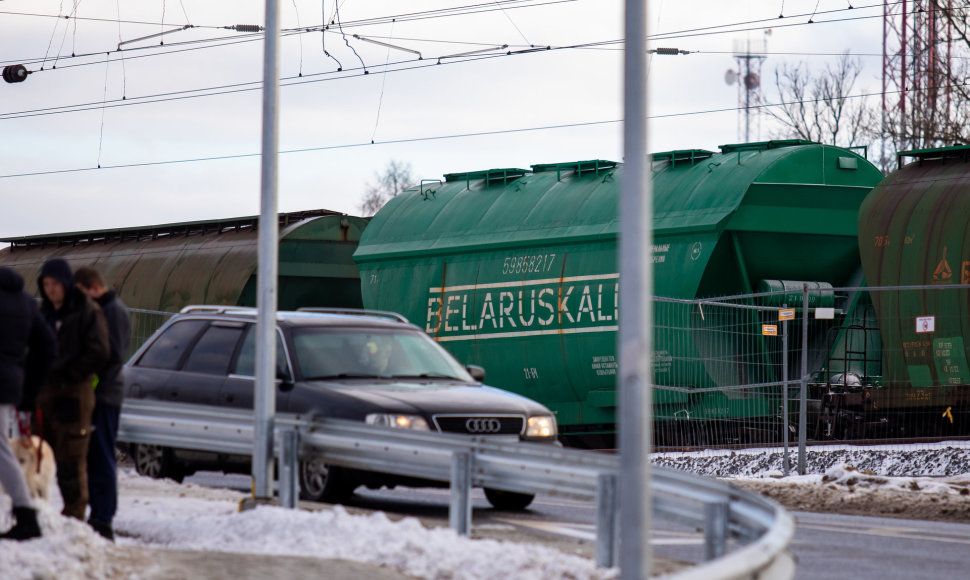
x,y
169,266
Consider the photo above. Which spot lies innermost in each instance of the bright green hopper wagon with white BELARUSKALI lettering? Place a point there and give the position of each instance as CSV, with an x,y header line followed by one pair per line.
x,y
516,270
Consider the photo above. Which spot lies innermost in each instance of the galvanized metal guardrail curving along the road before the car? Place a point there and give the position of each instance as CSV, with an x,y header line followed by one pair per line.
x,y
764,529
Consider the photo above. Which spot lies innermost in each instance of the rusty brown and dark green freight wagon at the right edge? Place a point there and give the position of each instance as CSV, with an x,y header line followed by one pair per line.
x,y
912,378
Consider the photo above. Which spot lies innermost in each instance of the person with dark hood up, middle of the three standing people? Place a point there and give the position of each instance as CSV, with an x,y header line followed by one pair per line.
x,y
66,403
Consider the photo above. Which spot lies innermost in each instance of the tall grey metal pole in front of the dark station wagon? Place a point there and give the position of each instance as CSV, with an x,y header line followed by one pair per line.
x,y
264,401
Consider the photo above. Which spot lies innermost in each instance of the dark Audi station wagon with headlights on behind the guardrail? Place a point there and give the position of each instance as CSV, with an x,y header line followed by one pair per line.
x,y
358,365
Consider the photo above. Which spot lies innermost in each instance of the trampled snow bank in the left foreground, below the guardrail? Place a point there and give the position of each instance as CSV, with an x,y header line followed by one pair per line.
x,y
166,515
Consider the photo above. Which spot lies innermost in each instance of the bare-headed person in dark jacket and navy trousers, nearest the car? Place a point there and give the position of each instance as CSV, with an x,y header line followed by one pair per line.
x,y
102,469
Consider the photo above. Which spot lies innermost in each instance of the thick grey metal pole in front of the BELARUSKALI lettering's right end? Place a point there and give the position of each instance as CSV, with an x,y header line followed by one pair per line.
x,y
636,298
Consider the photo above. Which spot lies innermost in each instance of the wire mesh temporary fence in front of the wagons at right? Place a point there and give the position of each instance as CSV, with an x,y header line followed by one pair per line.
x,y
888,364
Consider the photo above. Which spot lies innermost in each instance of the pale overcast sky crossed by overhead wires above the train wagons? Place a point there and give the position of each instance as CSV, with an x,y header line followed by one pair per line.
x,y
423,113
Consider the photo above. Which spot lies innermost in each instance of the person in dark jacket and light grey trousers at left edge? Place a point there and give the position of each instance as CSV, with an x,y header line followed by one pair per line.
x,y
27,350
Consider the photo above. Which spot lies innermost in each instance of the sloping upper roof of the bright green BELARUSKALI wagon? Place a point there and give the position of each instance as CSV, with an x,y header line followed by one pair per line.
x,y
701,196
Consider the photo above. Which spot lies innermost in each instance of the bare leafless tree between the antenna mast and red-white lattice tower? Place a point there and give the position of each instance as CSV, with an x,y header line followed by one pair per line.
x,y
820,107
